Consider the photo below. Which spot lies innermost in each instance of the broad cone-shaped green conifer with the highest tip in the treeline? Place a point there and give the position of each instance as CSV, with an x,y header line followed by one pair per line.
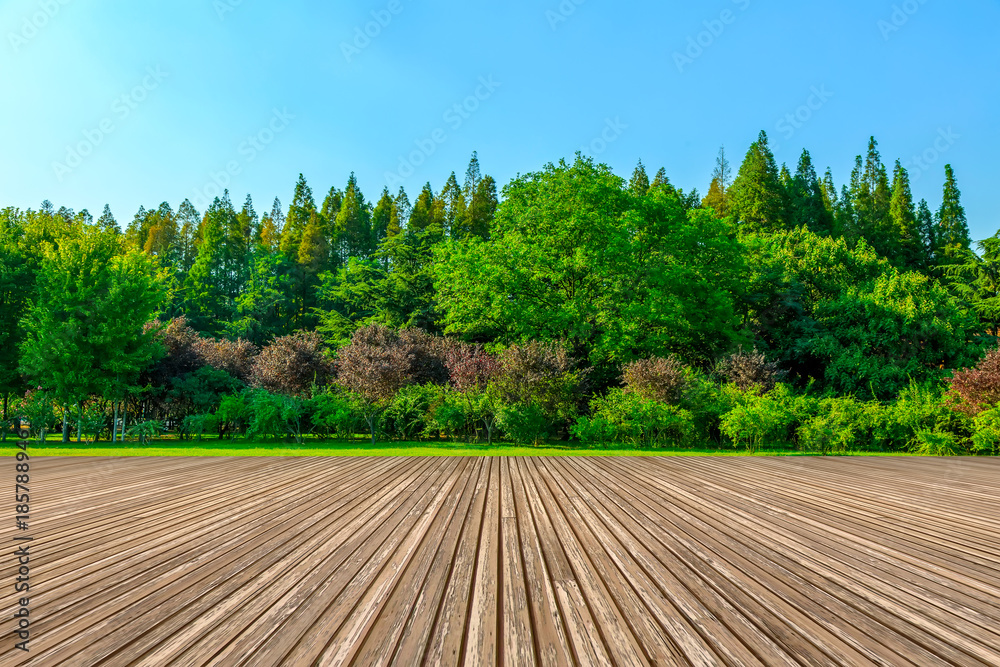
x,y
757,196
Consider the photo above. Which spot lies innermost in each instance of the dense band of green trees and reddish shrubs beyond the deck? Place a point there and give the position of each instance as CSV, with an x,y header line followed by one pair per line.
x,y
575,304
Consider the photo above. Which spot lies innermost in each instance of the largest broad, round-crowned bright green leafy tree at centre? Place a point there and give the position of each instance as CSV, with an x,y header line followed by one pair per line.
x,y
573,256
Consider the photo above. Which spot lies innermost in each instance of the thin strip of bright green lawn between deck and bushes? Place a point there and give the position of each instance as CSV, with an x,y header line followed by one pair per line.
x,y
167,447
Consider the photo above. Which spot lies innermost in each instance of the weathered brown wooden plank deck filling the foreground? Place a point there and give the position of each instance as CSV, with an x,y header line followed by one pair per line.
x,y
700,561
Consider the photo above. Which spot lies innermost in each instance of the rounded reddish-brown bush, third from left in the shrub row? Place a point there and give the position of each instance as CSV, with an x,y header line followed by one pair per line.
x,y
290,365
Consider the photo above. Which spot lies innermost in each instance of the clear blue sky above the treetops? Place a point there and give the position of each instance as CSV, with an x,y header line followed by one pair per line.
x,y
225,66
